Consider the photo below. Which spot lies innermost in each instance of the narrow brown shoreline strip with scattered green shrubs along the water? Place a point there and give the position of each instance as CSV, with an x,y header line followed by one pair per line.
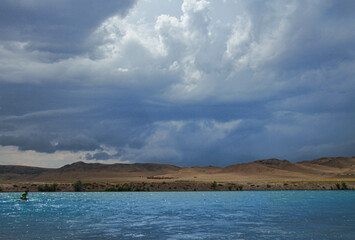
x,y
171,186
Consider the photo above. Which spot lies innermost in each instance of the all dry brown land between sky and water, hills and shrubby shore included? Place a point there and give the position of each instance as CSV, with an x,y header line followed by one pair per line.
x,y
270,174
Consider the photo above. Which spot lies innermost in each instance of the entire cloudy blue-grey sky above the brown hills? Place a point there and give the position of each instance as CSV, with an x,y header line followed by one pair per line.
x,y
189,83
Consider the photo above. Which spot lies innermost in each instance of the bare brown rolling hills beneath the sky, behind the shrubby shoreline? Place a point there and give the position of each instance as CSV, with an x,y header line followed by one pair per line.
x,y
269,169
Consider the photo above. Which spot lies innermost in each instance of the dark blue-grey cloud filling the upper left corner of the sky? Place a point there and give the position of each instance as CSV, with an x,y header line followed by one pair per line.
x,y
61,27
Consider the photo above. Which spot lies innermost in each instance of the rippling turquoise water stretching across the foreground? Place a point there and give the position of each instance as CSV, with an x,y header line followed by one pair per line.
x,y
180,215
